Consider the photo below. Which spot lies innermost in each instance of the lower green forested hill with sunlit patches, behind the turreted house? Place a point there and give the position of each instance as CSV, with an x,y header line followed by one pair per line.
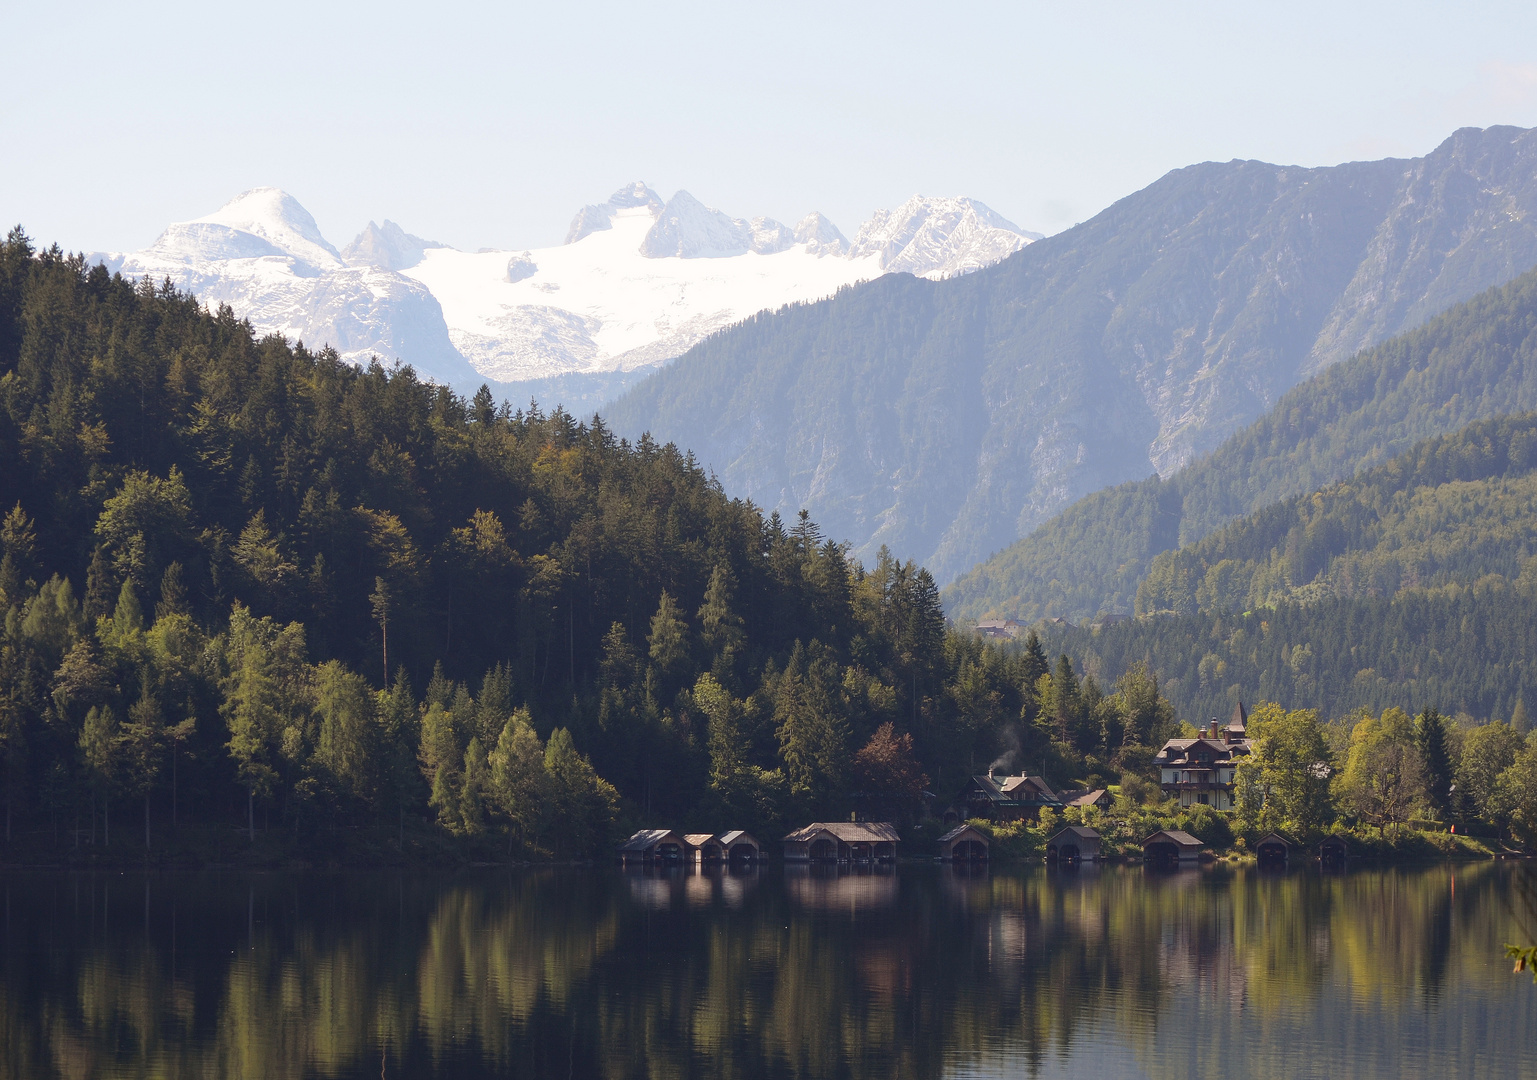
x,y
1413,585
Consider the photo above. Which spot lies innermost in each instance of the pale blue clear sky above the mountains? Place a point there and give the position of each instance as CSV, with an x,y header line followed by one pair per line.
x,y
490,124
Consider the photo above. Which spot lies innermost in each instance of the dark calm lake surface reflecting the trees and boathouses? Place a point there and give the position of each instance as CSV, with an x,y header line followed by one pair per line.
x,y
772,973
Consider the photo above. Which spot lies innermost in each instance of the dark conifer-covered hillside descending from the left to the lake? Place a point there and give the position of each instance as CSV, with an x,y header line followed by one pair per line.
x,y
253,586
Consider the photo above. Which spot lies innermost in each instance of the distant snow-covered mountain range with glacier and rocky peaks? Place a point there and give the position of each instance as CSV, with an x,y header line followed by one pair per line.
x,y
637,282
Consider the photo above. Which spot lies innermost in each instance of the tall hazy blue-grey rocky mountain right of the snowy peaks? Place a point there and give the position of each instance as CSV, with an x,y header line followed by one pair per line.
x,y
952,420
